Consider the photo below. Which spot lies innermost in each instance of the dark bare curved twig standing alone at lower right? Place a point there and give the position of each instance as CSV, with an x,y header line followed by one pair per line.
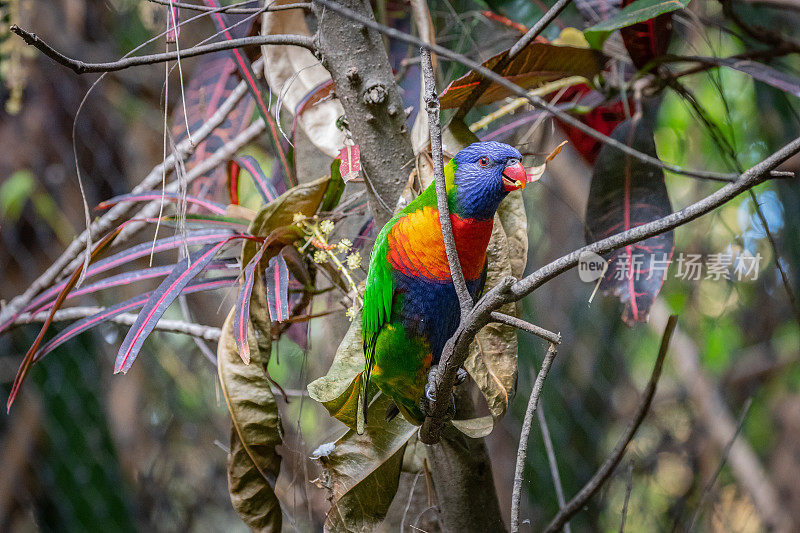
x,y
608,466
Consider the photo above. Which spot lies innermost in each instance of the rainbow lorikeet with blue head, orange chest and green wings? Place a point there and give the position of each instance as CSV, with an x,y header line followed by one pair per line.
x,y
410,305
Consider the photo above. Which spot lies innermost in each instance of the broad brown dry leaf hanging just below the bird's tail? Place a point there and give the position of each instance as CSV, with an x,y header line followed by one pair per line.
x,y
362,471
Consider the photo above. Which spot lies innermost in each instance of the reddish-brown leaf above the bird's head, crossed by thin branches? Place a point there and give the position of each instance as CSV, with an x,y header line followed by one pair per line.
x,y
538,63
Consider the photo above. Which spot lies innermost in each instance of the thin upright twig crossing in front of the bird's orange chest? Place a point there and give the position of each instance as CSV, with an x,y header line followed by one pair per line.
x,y
435,127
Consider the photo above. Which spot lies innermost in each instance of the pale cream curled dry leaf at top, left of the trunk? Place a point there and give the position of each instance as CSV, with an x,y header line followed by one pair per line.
x,y
293,73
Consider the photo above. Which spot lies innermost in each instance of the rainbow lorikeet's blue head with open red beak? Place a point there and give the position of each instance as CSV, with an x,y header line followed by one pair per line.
x,y
480,176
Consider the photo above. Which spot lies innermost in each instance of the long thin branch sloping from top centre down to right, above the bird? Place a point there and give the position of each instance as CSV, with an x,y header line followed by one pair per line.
x,y
519,91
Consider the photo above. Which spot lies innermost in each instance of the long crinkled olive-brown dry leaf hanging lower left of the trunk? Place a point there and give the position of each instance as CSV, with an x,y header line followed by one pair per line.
x,y
253,461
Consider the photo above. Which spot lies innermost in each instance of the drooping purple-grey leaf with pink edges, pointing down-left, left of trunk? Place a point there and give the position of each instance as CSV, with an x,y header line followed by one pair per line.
x,y
160,299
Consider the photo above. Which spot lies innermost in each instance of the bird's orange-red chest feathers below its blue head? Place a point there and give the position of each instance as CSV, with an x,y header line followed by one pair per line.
x,y
416,247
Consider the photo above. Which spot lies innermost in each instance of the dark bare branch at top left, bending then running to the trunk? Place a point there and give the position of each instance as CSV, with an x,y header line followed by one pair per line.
x,y
81,67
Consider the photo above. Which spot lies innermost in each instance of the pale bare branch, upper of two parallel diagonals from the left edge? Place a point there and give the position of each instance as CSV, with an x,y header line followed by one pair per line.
x,y
108,220
